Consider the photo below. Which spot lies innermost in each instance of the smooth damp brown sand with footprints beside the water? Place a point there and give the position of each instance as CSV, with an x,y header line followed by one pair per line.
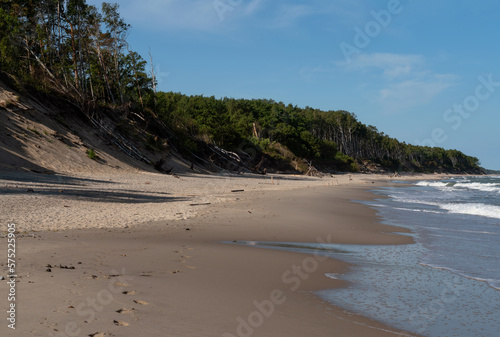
x,y
201,273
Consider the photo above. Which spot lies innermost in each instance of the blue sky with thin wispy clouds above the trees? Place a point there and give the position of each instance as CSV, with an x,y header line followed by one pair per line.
x,y
423,71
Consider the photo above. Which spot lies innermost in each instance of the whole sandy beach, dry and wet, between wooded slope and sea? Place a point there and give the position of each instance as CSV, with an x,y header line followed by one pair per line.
x,y
144,254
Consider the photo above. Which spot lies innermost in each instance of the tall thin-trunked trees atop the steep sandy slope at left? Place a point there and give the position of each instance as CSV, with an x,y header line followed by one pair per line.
x,y
72,47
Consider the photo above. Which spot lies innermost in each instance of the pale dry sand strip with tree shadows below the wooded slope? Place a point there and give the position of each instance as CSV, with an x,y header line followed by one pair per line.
x,y
120,199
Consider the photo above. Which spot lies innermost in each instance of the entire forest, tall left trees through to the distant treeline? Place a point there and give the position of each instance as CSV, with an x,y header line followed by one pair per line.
x,y
79,53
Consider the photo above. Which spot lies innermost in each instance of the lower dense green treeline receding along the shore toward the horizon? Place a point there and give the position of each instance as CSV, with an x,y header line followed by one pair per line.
x,y
330,139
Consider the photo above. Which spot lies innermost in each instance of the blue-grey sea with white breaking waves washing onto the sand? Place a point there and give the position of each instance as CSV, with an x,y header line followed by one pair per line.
x,y
445,284
